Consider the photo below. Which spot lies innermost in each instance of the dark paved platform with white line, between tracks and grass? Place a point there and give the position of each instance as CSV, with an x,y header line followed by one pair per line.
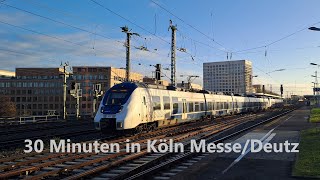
x,y
260,165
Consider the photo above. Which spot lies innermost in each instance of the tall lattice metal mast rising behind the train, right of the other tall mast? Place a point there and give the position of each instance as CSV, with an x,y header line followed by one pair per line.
x,y
173,54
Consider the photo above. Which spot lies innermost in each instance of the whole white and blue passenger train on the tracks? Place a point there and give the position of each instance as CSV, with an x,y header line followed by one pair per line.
x,y
137,107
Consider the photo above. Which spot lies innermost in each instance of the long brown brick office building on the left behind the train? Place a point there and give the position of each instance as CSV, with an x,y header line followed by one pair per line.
x,y
35,91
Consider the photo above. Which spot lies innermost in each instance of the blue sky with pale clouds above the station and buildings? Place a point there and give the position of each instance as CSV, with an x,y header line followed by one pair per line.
x,y
272,34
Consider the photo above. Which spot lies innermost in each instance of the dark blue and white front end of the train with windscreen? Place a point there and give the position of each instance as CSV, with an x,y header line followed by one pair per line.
x,y
113,109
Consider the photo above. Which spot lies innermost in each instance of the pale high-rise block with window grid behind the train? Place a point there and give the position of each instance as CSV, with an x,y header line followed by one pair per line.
x,y
228,76
